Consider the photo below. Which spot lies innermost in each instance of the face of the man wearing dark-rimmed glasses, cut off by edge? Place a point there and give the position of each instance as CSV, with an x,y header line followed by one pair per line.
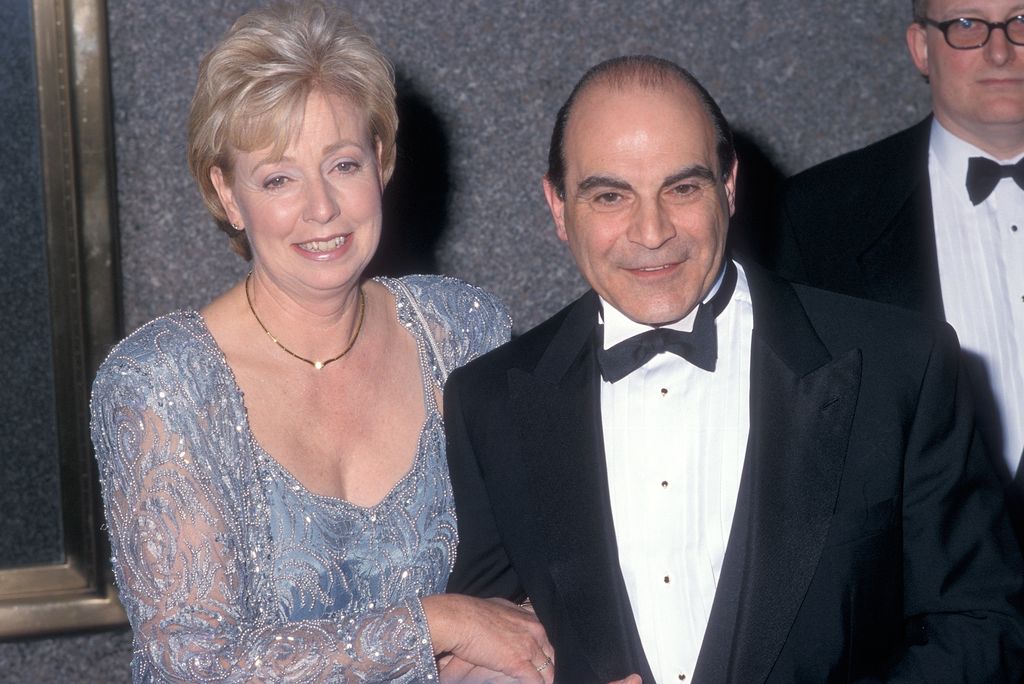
x,y
977,95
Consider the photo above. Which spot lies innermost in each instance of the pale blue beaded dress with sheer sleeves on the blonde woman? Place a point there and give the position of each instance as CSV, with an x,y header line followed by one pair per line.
x,y
230,570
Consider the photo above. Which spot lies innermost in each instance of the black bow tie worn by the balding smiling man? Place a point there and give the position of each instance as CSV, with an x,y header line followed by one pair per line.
x,y
699,348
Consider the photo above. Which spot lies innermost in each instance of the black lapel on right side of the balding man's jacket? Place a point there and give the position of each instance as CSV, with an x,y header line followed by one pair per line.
x,y
802,407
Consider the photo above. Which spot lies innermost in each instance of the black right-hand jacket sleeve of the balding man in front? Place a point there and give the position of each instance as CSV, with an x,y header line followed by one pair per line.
x,y
962,566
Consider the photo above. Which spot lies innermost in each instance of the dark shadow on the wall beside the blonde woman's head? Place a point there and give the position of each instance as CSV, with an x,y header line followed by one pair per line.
x,y
416,201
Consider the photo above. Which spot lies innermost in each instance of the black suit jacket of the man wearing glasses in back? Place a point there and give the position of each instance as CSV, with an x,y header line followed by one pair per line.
x,y
863,225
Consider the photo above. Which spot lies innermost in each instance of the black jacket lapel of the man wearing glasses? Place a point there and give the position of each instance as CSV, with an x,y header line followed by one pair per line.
x,y
900,264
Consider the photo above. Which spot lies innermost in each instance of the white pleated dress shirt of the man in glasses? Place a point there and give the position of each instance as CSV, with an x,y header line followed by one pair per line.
x,y
982,273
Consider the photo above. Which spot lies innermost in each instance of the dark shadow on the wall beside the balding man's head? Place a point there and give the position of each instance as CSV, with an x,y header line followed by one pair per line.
x,y
754,227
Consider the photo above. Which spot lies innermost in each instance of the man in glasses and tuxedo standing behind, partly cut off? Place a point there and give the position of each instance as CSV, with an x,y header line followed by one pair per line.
x,y
933,218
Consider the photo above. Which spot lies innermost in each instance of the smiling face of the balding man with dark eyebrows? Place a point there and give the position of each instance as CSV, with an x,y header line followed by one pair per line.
x,y
646,212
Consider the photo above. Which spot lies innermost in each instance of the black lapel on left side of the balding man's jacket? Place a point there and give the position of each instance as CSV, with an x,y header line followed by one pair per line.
x,y
558,408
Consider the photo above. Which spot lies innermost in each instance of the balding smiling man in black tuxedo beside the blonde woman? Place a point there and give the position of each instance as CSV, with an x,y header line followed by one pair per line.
x,y
699,471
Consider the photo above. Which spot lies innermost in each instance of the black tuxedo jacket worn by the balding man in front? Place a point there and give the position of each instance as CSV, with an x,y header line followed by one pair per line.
x,y
867,541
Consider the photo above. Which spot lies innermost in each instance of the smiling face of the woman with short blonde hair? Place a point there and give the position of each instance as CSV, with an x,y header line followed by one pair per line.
x,y
313,218
